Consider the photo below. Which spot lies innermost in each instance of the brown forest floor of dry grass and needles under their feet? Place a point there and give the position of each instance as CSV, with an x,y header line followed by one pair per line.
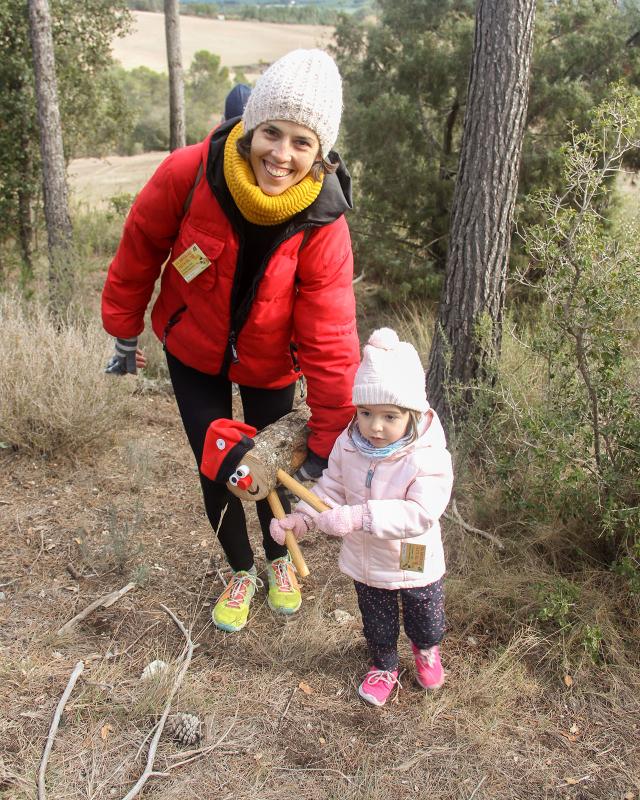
x,y
278,700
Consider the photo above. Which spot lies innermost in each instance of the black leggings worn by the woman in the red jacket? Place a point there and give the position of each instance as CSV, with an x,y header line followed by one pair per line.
x,y
202,398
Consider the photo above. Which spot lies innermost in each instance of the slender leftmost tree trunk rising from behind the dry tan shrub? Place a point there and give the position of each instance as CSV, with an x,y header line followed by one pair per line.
x,y
56,206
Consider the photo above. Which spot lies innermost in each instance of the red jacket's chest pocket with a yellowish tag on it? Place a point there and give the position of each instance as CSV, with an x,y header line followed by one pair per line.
x,y
195,256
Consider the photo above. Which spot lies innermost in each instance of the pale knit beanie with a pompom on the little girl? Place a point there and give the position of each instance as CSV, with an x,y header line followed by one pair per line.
x,y
390,374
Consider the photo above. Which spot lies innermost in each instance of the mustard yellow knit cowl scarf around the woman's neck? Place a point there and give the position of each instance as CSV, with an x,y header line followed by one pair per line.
x,y
254,205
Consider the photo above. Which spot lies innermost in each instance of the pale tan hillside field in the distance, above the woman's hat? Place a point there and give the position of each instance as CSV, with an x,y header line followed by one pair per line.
x,y
238,43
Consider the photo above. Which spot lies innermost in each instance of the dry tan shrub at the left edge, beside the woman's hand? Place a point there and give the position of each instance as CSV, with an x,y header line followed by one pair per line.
x,y
54,395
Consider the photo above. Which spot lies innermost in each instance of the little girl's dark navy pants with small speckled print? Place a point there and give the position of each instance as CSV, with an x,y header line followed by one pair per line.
x,y
422,615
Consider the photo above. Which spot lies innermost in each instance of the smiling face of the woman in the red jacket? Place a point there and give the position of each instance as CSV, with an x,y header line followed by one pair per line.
x,y
282,153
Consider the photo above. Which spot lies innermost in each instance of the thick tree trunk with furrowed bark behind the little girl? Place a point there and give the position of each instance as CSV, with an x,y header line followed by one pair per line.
x,y
466,342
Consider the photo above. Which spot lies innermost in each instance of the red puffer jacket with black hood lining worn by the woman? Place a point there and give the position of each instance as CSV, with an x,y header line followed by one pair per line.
x,y
304,294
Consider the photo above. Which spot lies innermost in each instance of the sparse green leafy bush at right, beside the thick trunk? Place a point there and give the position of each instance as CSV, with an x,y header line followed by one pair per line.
x,y
561,434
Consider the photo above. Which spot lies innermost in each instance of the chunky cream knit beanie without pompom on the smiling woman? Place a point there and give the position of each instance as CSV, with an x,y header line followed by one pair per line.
x,y
304,86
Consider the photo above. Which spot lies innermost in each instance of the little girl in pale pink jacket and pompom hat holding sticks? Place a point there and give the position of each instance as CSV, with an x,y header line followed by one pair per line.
x,y
388,481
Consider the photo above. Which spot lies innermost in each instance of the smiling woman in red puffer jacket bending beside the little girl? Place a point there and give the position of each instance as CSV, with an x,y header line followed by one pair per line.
x,y
251,226
